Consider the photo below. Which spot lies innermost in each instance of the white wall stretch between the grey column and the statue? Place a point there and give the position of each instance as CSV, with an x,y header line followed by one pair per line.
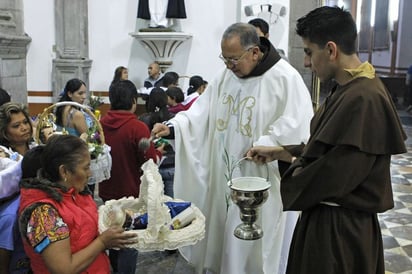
x,y
109,42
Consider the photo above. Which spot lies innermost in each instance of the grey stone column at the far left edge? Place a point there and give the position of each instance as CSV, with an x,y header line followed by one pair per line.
x,y
13,50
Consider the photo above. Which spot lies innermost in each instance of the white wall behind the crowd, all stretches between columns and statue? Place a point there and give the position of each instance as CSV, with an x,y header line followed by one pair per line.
x,y
110,44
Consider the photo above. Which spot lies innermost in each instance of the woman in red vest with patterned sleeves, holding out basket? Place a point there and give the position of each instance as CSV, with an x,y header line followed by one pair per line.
x,y
59,219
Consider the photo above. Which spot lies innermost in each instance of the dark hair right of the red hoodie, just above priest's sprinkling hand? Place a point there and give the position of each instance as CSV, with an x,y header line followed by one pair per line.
x,y
157,108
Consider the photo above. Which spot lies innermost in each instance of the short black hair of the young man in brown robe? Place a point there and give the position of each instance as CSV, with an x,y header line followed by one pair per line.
x,y
329,24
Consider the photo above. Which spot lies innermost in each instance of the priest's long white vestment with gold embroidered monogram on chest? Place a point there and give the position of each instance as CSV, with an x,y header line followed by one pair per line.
x,y
232,115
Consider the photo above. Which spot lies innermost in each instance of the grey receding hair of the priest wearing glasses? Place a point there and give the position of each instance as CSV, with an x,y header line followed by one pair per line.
x,y
246,32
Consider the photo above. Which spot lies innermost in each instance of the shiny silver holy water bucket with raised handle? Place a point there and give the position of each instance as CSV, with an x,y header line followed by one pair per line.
x,y
248,193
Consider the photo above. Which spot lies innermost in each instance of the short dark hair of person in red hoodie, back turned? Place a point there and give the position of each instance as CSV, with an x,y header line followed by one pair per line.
x,y
122,95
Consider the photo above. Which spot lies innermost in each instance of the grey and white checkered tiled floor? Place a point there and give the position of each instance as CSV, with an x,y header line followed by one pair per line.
x,y
396,224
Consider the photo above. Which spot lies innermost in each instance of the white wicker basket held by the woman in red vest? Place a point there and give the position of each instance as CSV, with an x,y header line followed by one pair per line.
x,y
157,235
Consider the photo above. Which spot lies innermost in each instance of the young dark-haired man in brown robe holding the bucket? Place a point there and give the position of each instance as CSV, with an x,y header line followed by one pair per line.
x,y
340,179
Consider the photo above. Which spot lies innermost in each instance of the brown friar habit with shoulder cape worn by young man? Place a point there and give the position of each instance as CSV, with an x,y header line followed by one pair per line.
x,y
342,180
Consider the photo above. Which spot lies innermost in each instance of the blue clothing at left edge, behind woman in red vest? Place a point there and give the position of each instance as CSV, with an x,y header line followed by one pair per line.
x,y
10,238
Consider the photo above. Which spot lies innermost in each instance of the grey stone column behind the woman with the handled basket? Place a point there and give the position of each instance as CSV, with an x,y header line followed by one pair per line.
x,y
72,44
